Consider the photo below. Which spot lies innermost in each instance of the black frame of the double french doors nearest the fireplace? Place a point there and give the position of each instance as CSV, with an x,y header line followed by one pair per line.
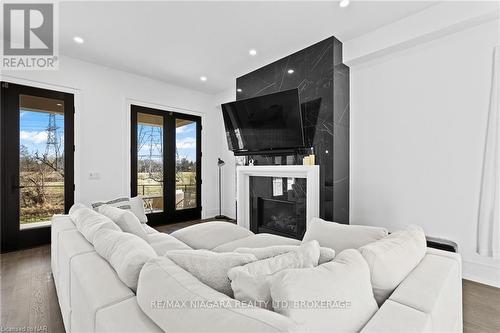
x,y
169,214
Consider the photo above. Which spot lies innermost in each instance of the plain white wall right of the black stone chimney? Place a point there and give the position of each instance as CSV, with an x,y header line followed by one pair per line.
x,y
418,120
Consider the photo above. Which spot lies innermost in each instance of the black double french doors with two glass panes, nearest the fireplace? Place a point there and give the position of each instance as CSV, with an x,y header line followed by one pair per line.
x,y
166,164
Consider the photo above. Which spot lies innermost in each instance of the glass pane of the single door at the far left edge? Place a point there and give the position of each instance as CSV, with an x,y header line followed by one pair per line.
x,y
41,160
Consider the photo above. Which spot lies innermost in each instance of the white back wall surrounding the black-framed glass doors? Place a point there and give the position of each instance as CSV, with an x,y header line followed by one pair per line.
x,y
102,123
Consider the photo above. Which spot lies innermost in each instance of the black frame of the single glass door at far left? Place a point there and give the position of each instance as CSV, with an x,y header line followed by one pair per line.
x,y
12,237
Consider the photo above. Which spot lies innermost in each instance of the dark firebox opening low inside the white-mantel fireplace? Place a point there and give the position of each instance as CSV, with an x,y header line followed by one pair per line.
x,y
280,216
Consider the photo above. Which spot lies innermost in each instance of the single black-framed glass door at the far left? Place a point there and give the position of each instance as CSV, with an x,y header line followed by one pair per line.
x,y
37,169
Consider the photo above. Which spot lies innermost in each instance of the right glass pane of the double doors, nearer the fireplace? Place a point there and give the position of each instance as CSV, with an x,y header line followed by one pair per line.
x,y
185,164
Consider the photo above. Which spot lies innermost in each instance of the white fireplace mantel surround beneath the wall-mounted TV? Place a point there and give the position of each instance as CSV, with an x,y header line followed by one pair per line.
x,y
243,174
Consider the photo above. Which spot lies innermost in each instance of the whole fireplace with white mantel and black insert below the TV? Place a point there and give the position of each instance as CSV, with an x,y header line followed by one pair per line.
x,y
290,192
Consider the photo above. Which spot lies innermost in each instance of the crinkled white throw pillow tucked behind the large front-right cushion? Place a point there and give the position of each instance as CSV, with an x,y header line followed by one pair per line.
x,y
251,282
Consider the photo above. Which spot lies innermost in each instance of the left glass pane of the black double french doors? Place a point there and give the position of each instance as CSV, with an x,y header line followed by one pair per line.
x,y
150,161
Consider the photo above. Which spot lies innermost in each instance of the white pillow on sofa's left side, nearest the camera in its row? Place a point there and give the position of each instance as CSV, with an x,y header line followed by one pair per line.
x,y
125,252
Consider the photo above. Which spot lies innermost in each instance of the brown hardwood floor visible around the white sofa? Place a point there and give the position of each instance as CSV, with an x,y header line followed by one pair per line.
x,y
28,296
